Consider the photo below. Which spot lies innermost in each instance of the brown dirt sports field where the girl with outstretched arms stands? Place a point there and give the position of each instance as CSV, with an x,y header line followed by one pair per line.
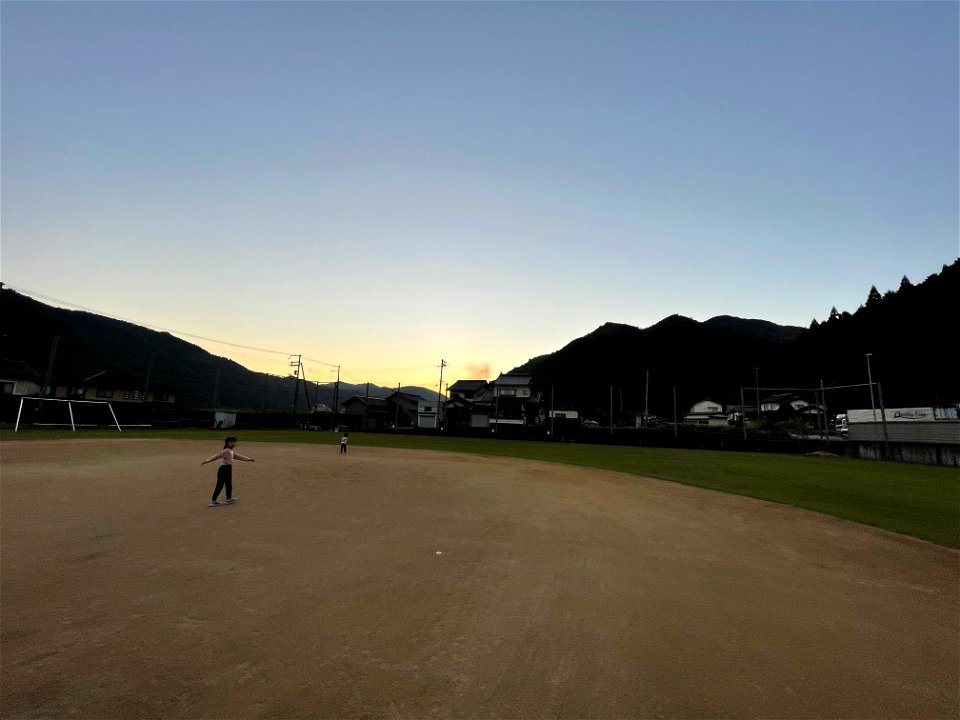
x,y
390,583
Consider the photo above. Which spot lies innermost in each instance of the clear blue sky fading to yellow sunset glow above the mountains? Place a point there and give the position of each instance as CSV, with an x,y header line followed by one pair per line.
x,y
382,185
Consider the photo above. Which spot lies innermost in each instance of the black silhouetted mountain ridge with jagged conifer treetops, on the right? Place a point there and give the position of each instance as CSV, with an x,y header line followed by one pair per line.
x,y
907,333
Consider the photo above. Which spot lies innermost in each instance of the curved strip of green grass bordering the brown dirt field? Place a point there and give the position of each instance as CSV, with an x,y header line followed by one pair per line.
x,y
916,500
